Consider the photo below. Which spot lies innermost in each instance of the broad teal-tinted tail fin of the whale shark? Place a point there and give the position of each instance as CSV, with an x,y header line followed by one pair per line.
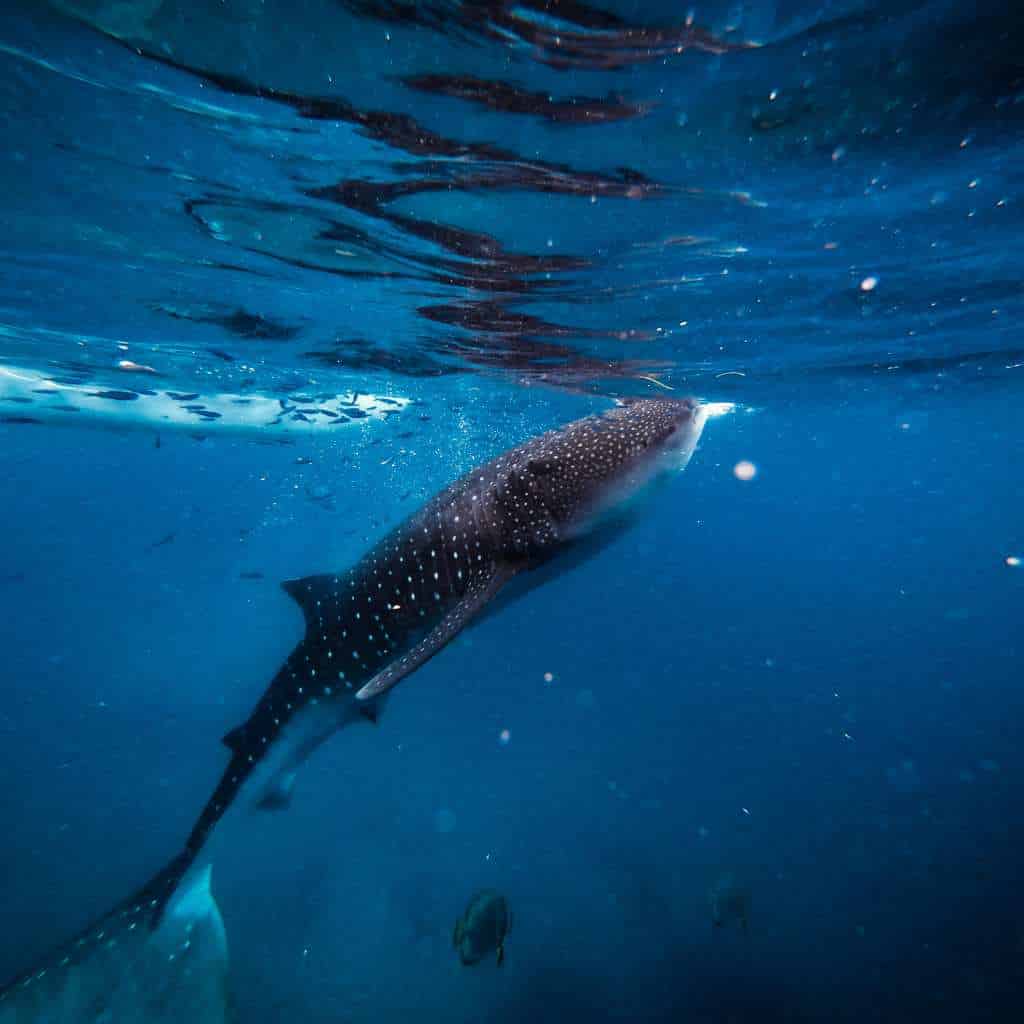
x,y
147,962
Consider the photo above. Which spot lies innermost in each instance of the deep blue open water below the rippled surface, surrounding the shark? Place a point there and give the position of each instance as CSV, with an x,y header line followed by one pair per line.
x,y
716,659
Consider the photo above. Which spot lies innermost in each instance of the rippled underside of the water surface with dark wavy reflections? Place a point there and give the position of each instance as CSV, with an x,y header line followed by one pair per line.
x,y
265,197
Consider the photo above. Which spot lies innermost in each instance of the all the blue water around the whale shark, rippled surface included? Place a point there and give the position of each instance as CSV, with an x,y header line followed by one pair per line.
x,y
807,682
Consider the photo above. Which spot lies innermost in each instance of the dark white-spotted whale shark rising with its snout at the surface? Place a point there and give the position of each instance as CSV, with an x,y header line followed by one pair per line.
x,y
373,625
